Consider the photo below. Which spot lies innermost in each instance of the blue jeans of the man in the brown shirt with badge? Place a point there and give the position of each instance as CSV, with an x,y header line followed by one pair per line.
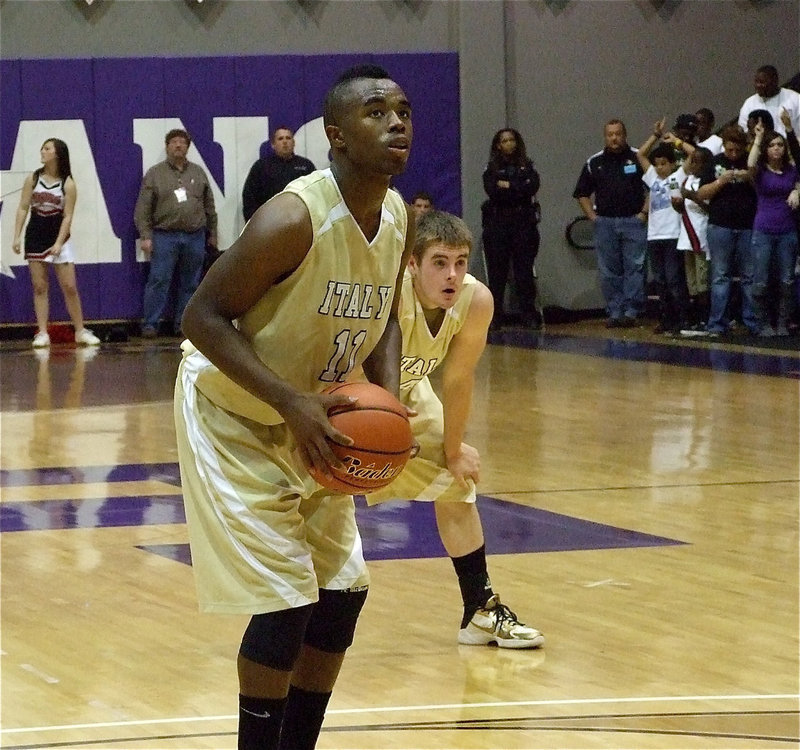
x,y
184,251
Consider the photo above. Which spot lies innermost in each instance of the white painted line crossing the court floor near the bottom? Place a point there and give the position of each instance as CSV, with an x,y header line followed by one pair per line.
x,y
432,707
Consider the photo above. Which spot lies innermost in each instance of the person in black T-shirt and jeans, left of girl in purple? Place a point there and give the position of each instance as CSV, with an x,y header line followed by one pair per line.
x,y
731,210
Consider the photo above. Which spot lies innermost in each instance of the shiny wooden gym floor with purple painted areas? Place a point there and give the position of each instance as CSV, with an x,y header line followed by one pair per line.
x,y
640,503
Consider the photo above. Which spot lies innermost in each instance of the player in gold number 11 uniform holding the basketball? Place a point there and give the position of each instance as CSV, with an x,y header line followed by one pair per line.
x,y
308,293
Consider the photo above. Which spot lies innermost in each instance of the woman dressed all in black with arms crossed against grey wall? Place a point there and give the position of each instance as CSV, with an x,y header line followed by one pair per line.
x,y
510,232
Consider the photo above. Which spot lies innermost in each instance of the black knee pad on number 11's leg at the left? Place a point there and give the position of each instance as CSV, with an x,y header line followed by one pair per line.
x,y
274,639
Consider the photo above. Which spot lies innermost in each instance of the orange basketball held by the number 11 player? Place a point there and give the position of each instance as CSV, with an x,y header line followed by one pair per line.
x,y
382,445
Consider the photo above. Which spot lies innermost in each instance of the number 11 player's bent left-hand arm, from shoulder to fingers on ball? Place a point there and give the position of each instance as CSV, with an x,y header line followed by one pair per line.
x,y
271,246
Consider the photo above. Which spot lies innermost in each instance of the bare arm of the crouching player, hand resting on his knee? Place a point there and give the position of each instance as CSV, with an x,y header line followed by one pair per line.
x,y
458,382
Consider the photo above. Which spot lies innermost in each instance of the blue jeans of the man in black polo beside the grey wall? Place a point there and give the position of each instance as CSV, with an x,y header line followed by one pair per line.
x,y
621,244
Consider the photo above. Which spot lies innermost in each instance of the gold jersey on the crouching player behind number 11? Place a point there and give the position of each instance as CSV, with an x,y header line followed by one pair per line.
x,y
422,351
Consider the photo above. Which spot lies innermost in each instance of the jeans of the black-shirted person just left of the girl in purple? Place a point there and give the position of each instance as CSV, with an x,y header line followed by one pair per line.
x,y
730,249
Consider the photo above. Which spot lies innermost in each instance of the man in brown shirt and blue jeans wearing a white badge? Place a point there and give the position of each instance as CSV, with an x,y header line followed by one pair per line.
x,y
175,216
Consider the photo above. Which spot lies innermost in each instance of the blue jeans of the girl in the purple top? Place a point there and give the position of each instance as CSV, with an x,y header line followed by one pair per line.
x,y
782,248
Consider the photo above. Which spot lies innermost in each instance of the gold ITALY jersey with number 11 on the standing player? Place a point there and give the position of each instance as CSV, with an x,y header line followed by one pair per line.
x,y
319,324
